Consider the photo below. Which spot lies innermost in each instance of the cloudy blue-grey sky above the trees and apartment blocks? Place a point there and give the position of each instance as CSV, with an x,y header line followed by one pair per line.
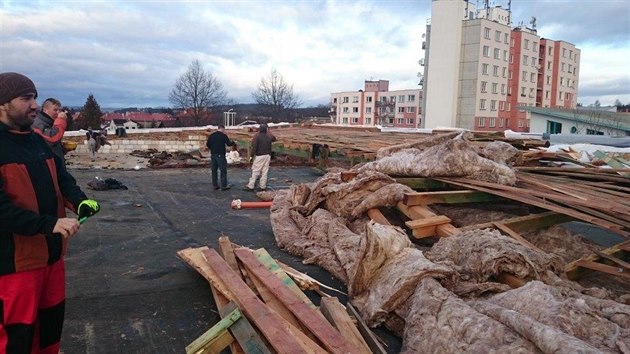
x,y
129,53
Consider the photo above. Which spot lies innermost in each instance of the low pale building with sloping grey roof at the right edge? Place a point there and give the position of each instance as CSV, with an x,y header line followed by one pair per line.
x,y
580,120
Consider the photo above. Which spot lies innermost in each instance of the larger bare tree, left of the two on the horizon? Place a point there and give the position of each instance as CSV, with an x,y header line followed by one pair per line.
x,y
196,92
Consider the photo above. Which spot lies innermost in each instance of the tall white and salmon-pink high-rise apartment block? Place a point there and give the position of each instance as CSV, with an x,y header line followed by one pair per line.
x,y
478,69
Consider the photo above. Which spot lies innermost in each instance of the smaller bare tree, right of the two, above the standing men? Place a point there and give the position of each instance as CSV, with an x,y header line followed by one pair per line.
x,y
275,93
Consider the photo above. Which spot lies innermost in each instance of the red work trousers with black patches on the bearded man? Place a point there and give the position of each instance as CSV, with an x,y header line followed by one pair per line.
x,y
32,305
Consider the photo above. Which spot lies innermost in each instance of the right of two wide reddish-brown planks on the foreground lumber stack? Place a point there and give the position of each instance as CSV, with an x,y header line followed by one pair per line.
x,y
329,337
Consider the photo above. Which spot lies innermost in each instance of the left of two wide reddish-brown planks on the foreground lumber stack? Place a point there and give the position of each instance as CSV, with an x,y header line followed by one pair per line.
x,y
268,322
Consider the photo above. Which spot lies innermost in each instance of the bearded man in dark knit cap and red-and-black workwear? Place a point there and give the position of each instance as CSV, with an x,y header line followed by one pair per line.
x,y
34,228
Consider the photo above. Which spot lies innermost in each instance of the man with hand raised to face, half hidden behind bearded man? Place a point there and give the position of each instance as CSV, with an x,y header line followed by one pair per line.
x,y
51,124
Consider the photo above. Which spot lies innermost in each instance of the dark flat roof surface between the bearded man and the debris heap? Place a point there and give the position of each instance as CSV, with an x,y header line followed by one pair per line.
x,y
128,292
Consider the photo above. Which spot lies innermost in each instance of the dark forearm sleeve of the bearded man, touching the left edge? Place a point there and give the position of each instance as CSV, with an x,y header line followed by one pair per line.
x,y
23,221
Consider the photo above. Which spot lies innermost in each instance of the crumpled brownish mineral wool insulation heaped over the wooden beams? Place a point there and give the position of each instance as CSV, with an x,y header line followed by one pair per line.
x,y
445,300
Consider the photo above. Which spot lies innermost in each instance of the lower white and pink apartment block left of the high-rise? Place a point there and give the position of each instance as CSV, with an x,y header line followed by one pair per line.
x,y
376,105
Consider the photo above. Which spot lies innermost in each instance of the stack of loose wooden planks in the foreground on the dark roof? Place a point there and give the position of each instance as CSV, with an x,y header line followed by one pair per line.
x,y
264,311
